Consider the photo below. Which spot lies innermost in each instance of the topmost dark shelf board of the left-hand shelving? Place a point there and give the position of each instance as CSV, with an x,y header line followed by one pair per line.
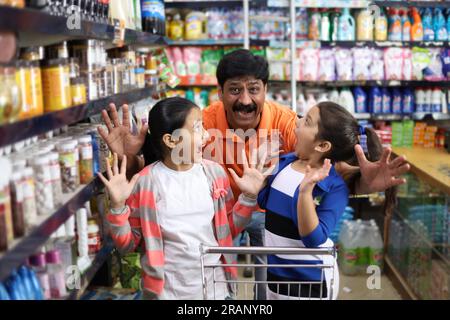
x,y
35,27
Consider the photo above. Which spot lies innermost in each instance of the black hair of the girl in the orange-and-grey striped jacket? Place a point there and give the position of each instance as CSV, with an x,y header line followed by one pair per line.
x,y
165,117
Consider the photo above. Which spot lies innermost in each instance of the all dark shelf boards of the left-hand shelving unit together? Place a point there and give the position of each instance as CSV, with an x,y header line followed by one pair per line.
x,y
37,28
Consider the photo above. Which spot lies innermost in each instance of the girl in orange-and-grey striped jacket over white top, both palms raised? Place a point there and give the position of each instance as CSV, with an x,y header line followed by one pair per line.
x,y
177,202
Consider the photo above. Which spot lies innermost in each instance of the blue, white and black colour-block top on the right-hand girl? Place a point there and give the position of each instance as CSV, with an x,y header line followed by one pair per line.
x,y
279,199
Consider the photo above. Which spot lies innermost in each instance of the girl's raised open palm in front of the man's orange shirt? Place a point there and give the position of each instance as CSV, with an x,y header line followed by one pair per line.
x,y
254,176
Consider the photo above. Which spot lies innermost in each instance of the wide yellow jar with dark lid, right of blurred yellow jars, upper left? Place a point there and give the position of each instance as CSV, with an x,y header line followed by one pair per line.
x,y
56,85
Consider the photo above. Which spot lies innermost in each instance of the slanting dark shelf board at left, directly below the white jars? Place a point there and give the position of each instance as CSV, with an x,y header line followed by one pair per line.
x,y
26,246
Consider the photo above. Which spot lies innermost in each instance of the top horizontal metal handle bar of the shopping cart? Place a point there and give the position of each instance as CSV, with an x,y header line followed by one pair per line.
x,y
267,250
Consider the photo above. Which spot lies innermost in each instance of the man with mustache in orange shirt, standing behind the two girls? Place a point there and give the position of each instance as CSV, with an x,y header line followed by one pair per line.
x,y
242,109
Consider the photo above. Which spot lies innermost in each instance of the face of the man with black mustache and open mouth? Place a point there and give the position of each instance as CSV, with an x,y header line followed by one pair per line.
x,y
243,99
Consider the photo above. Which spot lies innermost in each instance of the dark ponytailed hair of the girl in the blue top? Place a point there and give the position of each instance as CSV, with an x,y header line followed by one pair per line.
x,y
338,126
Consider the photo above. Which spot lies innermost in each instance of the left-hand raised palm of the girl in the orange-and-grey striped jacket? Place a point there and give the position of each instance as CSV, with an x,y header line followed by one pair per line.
x,y
117,184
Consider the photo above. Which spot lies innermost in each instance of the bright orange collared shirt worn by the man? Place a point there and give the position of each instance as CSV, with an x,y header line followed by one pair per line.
x,y
274,117
